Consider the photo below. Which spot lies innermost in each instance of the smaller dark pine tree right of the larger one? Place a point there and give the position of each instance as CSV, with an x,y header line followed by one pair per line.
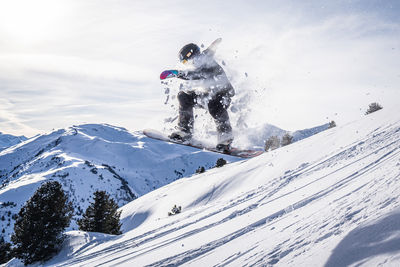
x,y
101,216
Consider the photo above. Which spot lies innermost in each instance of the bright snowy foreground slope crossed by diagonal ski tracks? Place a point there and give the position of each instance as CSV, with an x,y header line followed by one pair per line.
x,y
331,199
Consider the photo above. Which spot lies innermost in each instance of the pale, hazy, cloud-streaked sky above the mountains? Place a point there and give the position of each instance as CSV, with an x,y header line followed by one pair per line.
x,y
294,64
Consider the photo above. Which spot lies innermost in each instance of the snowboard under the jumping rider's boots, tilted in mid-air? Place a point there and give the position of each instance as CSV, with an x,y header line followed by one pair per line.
x,y
236,152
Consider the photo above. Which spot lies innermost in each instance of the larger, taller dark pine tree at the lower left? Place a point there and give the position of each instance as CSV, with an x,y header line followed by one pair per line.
x,y
38,230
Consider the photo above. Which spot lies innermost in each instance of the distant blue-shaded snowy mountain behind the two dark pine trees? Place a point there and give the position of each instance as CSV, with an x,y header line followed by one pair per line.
x,y
92,157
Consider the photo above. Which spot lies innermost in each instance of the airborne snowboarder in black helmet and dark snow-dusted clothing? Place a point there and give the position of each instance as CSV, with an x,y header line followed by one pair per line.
x,y
206,73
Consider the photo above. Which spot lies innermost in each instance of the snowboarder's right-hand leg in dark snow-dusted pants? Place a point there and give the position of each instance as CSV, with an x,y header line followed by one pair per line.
x,y
217,107
